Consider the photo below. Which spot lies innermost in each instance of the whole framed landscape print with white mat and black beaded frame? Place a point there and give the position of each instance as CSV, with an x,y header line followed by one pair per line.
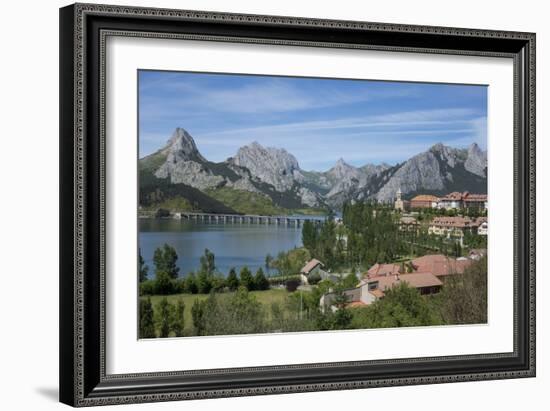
x,y
262,204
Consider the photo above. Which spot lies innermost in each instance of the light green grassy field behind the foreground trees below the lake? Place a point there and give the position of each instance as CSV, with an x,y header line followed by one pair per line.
x,y
266,298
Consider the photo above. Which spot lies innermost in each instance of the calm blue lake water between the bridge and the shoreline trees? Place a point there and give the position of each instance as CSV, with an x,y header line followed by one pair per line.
x,y
234,245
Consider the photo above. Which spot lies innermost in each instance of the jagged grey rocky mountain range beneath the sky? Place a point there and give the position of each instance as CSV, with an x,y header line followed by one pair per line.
x,y
272,175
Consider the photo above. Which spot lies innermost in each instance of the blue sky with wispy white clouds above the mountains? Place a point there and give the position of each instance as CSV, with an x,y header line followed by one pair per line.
x,y
317,120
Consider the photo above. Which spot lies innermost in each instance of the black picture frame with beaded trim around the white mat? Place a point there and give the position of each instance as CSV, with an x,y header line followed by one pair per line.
x,y
83,29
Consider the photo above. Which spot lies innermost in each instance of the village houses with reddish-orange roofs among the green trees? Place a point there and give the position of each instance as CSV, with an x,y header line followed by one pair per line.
x,y
427,273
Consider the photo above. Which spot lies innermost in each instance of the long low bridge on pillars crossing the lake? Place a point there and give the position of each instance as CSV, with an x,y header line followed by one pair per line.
x,y
290,221
